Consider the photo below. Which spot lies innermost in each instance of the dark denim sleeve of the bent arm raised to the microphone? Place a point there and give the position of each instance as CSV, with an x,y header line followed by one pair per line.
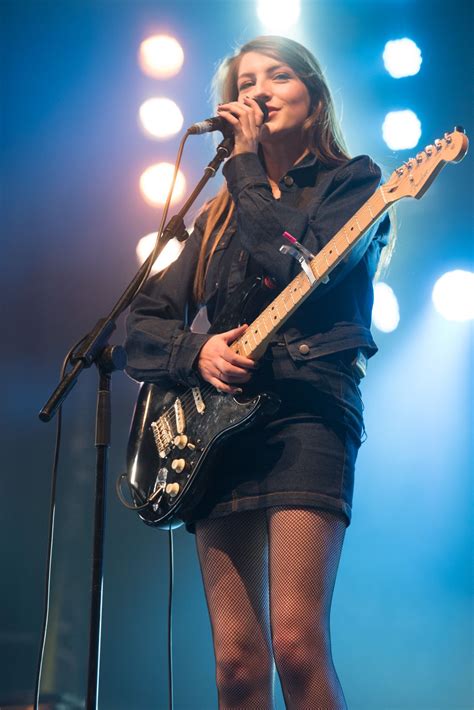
x,y
262,219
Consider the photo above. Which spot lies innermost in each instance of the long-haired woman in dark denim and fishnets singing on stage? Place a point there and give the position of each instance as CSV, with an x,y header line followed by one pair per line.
x,y
270,531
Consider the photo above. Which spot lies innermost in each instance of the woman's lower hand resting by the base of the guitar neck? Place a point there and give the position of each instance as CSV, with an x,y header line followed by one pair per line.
x,y
219,365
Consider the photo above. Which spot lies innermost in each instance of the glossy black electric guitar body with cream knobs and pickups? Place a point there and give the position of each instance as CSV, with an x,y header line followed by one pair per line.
x,y
176,432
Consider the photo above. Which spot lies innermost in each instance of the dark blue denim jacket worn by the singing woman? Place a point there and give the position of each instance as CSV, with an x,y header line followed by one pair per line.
x,y
315,202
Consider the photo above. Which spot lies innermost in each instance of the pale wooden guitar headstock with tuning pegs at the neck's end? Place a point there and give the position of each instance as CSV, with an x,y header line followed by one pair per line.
x,y
414,177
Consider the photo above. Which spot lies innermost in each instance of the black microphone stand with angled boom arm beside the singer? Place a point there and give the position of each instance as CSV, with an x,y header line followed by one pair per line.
x,y
94,350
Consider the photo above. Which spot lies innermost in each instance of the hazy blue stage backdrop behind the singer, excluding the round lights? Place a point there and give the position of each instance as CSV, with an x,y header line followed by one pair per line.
x,y
71,155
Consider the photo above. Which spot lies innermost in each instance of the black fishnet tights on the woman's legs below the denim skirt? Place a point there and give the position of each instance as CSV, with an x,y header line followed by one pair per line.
x,y
269,577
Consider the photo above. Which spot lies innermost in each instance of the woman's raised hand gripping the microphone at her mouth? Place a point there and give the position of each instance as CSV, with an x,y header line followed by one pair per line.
x,y
246,119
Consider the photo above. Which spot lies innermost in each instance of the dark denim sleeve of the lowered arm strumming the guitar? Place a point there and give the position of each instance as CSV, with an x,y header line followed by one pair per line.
x,y
159,343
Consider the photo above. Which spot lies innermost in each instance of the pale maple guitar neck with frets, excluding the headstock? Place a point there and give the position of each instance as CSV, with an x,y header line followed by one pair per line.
x,y
260,332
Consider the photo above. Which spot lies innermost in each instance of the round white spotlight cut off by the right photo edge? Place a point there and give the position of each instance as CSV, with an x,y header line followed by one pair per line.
x,y
453,295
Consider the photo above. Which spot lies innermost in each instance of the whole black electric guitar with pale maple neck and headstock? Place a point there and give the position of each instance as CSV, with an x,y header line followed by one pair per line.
x,y
174,433
